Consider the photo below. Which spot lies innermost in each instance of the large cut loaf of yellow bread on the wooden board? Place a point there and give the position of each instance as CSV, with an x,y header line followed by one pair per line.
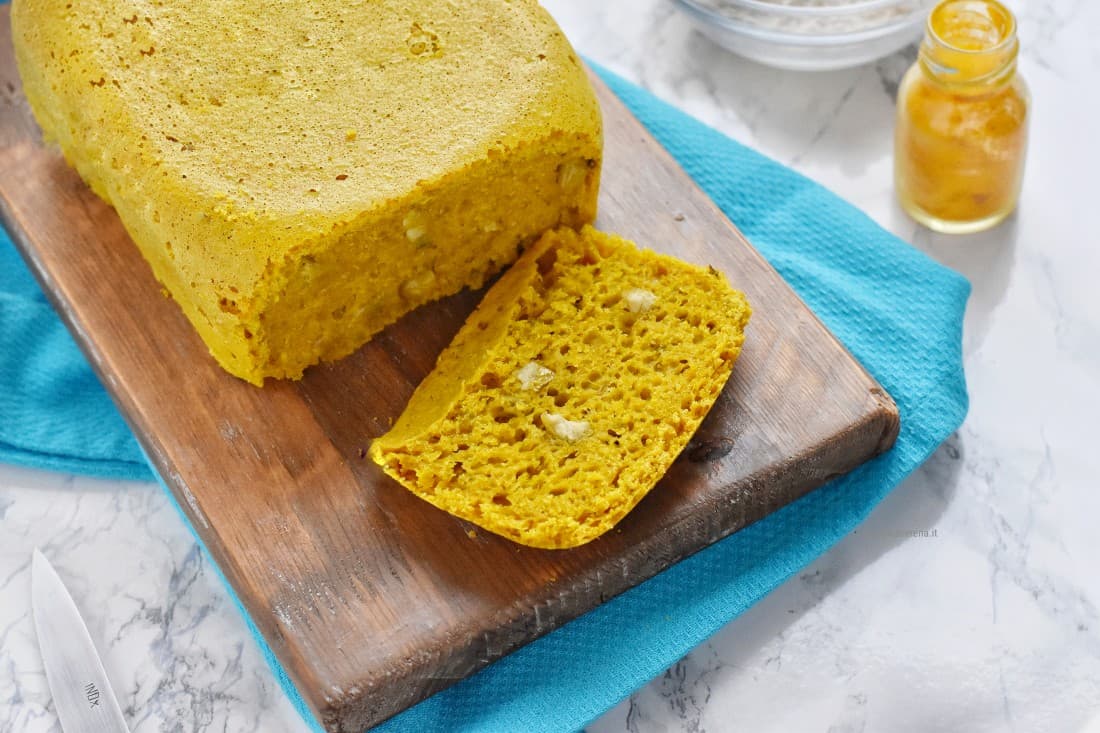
x,y
302,173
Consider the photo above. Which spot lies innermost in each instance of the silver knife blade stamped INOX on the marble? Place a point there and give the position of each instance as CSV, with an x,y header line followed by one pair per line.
x,y
82,693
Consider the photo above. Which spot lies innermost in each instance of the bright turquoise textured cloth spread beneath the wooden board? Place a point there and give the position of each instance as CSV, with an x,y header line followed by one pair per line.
x,y
897,311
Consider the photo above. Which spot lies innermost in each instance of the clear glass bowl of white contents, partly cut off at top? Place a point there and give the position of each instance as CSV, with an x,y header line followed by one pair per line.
x,y
810,35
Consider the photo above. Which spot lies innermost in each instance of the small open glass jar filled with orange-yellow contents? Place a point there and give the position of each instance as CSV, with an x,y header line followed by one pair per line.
x,y
962,130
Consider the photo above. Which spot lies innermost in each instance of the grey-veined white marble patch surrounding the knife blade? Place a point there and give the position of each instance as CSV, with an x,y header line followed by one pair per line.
x,y
174,647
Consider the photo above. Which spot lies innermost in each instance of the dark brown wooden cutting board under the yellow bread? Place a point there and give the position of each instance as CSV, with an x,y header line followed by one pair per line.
x,y
371,598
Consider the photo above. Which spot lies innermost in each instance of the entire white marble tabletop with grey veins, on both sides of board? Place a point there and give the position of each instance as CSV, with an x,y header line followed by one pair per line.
x,y
988,623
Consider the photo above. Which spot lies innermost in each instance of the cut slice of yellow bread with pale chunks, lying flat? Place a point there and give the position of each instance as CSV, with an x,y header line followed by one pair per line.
x,y
570,391
